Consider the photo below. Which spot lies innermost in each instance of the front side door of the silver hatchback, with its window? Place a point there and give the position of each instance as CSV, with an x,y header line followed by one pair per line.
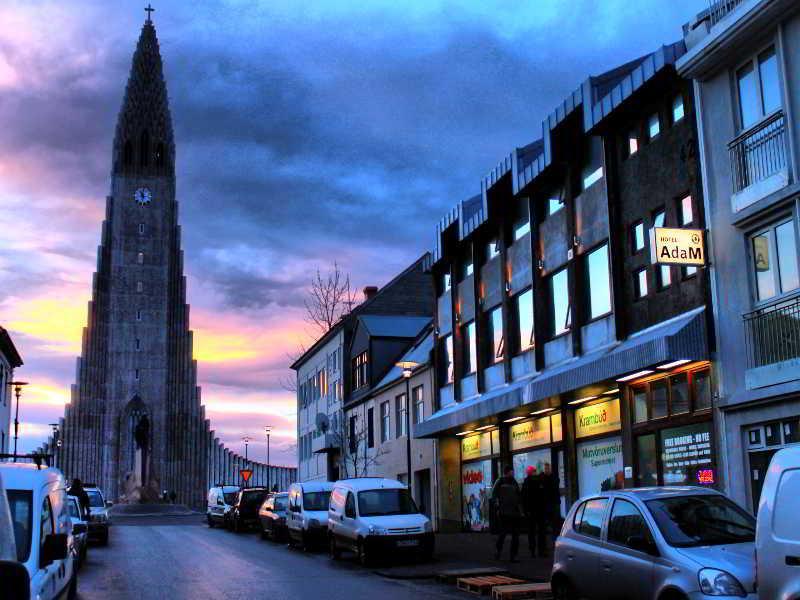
x,y
627,566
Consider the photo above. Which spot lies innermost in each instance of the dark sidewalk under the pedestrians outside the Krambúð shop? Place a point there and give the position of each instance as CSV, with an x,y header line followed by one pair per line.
x,y
468,550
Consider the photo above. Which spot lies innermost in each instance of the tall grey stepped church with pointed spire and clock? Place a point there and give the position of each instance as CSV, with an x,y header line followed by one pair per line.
x,y
135,425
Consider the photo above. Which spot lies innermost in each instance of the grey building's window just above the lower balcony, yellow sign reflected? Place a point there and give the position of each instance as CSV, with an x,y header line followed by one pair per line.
x,y
774,257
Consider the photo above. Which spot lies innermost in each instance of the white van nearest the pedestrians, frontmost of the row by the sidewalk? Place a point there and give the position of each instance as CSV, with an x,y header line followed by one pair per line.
x,y
376,518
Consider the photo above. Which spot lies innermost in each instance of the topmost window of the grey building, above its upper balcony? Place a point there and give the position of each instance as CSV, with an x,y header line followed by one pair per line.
x,y
758,87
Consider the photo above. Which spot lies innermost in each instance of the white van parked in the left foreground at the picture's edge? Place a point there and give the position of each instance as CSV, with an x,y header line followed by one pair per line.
x,y
37,506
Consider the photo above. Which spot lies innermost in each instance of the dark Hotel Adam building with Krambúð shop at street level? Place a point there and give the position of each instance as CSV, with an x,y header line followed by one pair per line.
x,y
560,342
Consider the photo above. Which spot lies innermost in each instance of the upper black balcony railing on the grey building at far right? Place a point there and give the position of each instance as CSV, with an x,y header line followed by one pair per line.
x,y
759,152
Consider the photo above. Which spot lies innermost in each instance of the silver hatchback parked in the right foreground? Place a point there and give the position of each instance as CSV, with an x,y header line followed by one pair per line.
x,y
664,543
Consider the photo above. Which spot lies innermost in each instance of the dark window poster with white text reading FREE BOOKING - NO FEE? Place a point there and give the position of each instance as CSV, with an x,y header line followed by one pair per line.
x,y
685,451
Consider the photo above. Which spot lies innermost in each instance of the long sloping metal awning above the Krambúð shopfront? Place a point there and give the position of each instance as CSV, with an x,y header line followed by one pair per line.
x,y
683,337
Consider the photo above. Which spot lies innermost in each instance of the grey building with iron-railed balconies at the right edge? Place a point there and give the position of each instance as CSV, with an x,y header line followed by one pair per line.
x,y
744,57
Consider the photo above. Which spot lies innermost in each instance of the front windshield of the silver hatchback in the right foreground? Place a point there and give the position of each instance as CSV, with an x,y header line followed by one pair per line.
x,y
702,520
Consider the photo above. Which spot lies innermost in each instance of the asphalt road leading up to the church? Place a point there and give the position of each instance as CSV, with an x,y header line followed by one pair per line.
x,y
181,558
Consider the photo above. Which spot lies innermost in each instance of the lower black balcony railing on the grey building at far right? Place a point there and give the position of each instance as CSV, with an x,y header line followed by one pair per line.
x,y
772,335
